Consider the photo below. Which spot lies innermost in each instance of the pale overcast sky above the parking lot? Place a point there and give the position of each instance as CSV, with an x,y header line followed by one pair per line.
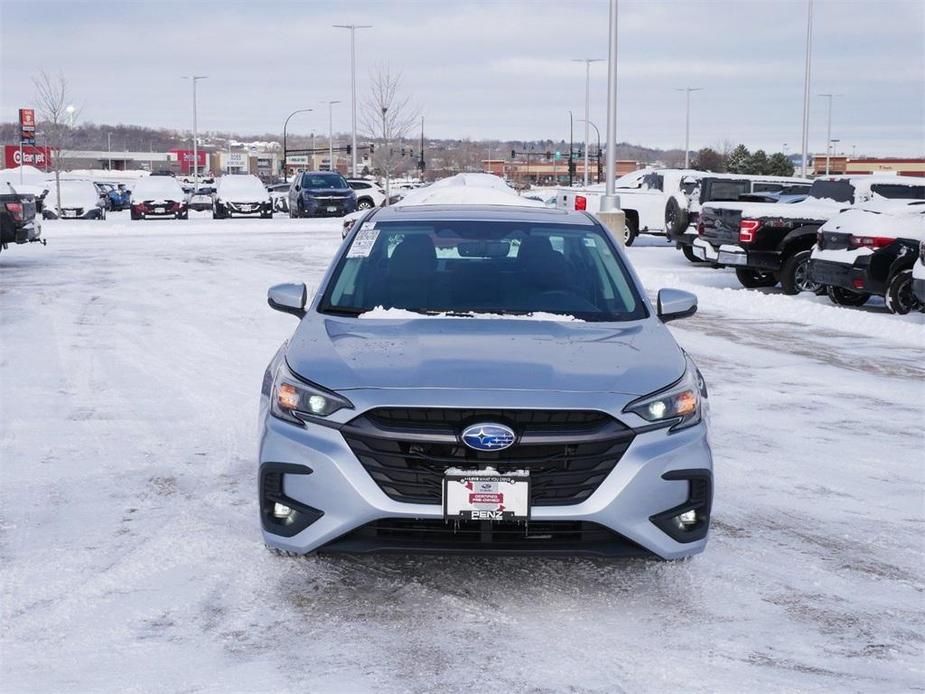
x,y
497,69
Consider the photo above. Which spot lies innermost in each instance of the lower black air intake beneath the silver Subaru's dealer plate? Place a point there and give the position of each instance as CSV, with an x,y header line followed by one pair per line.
x,y
417,535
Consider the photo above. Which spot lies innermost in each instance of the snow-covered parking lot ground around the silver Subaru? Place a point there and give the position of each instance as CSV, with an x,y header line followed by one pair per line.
x,y
130,551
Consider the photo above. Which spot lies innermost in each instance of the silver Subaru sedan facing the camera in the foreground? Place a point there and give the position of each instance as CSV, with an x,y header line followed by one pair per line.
x,y
468,368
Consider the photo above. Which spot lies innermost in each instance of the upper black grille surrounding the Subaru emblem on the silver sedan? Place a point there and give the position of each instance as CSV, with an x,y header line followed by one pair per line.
x,y
407,451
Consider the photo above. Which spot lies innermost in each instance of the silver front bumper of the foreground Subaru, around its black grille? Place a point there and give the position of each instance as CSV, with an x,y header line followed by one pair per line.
x,y
316,469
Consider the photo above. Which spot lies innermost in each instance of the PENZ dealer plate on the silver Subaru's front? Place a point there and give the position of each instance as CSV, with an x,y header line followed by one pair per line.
x,y
486,495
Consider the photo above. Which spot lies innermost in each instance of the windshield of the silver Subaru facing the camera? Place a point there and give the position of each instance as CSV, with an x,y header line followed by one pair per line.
x,y
471,267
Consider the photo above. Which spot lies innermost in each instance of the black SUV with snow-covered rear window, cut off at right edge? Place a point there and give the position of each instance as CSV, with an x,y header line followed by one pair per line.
x,y
871,250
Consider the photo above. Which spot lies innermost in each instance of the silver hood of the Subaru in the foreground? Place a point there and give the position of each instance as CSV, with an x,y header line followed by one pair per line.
x,y
486,354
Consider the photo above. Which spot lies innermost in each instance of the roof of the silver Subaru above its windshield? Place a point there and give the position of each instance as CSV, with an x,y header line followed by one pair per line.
x,y
487,213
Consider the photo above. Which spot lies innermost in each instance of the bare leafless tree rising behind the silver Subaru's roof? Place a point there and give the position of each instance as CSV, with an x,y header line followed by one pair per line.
x,y
387,117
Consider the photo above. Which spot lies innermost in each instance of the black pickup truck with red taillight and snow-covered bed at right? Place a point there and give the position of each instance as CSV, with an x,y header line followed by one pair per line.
x,y
768,243
